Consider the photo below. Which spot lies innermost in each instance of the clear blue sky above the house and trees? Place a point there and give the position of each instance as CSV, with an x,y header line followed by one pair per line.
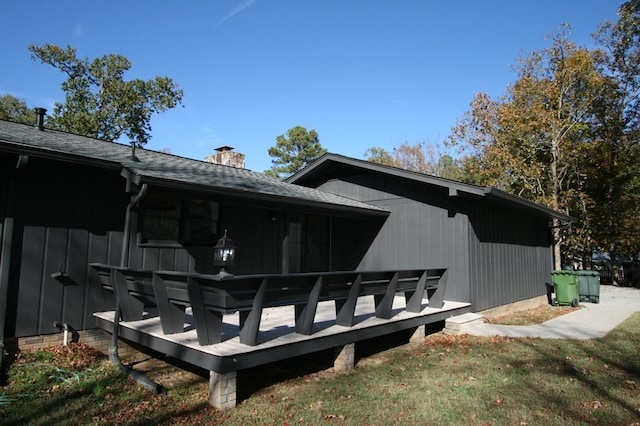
x,y
362,73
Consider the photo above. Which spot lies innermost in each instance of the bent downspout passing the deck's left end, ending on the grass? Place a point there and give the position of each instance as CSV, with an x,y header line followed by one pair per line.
x,y
113,346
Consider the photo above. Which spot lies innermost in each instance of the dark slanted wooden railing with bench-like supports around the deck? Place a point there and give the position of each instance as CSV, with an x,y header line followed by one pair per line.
x,y
210,297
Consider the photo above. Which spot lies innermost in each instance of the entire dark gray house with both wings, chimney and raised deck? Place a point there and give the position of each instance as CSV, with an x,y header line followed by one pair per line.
x,y
69,201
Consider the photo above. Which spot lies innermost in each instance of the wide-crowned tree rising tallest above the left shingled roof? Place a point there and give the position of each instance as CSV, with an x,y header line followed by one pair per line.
x,y
99,102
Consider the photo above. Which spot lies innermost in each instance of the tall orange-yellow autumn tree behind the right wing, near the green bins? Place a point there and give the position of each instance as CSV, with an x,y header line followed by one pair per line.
x,y
533,142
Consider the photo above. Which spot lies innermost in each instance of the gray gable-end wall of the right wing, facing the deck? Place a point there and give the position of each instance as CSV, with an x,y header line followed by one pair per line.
x,y
424,229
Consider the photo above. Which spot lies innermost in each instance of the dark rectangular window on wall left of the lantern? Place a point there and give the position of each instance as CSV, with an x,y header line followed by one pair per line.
x,y
171,220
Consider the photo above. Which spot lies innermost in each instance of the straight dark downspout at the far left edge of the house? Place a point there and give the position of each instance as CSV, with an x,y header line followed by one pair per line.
x,y
7,248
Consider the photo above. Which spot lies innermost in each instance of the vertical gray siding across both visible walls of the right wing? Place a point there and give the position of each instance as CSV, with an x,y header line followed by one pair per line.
x,y
496,254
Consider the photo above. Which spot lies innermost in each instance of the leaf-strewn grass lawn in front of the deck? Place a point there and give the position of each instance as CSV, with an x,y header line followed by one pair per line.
x,y
448,380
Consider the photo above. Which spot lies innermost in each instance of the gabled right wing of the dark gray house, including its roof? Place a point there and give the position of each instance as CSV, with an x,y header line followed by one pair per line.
x,y
497,246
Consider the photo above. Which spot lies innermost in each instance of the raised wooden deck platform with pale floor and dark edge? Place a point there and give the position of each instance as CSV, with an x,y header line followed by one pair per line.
x,y
277,339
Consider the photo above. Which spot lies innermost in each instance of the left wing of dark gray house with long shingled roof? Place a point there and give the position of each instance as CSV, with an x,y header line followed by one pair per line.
x,y
67,201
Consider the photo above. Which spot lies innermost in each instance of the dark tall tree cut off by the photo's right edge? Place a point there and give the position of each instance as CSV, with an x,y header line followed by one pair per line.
x,y
617,157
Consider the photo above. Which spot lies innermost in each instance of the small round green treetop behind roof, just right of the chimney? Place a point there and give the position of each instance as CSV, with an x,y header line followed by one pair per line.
x,y
294,151
